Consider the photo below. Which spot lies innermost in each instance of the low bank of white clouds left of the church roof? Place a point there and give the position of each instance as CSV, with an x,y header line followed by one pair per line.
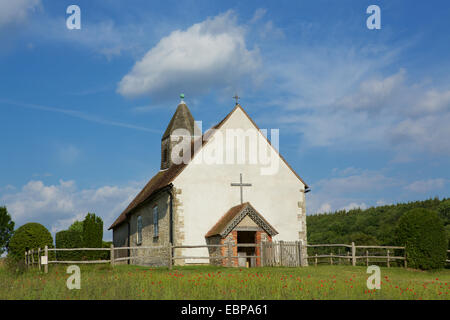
x,y
57,206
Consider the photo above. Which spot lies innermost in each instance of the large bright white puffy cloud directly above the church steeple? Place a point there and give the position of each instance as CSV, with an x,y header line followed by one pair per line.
x,y
209,54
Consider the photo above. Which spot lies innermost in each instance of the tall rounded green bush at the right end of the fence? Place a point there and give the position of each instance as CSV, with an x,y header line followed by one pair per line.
x,y
423,234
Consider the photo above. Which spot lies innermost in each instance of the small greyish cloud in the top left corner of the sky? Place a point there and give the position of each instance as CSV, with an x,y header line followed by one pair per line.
x,y
16,11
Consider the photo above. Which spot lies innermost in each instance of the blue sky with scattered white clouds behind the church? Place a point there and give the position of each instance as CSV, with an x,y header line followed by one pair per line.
x,y
363,114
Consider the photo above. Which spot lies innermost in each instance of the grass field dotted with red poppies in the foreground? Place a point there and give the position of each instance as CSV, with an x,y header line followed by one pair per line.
x,y
204,282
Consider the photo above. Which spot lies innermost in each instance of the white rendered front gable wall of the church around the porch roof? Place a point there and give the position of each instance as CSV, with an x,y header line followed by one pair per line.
x,y
207,194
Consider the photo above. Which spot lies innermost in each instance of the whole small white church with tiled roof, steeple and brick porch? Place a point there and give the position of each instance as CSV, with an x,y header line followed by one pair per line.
x,y
221,191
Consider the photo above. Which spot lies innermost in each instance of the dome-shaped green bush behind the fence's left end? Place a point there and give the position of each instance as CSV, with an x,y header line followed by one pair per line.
x,y
29,236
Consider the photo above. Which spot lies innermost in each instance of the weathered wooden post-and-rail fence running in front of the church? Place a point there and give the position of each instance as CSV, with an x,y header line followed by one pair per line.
x,y
271,254
